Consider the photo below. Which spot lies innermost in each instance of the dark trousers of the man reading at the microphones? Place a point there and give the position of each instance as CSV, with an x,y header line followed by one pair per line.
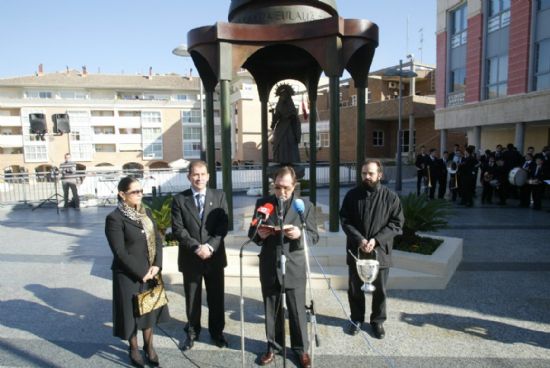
x,y
274,317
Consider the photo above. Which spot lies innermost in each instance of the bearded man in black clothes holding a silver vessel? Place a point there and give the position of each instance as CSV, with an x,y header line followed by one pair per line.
x,y
371,216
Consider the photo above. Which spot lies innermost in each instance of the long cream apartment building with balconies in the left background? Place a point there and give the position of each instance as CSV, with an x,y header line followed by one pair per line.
x,y
124,121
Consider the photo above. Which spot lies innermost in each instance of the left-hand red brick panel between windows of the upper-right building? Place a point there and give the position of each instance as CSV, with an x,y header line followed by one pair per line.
x,y
473,62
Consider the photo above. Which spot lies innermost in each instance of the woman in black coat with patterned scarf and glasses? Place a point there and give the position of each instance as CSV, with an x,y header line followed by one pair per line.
x,y
137,250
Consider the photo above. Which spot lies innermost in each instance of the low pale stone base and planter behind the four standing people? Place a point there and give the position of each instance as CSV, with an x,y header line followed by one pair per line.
x,y
410,270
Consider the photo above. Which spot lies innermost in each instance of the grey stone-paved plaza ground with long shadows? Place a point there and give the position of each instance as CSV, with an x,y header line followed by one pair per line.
x,y
55,300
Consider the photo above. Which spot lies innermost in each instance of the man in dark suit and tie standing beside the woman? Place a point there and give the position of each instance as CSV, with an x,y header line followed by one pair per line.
x,y
200,223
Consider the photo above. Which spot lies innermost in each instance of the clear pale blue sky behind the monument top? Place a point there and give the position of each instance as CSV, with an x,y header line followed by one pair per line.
x,y
128,36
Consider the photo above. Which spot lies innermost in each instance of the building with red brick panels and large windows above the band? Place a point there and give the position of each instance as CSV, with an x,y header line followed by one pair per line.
x,y
493,78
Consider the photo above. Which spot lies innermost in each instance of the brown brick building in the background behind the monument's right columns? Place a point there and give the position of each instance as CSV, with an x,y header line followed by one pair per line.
x,y
382,114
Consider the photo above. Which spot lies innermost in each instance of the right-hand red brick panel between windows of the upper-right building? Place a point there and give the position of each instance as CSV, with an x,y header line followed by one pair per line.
x,y
518,64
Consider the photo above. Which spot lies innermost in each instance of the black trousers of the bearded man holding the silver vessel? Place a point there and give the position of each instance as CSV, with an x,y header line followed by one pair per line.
x,y
356,296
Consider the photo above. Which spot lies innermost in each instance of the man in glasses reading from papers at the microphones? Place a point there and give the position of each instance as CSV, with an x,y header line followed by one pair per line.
x,y
268,235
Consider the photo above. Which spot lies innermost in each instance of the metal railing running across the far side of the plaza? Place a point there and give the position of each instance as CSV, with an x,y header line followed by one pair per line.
x,y
100,187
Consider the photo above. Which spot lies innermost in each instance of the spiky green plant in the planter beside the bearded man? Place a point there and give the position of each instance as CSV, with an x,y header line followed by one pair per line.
x,y
422,214
